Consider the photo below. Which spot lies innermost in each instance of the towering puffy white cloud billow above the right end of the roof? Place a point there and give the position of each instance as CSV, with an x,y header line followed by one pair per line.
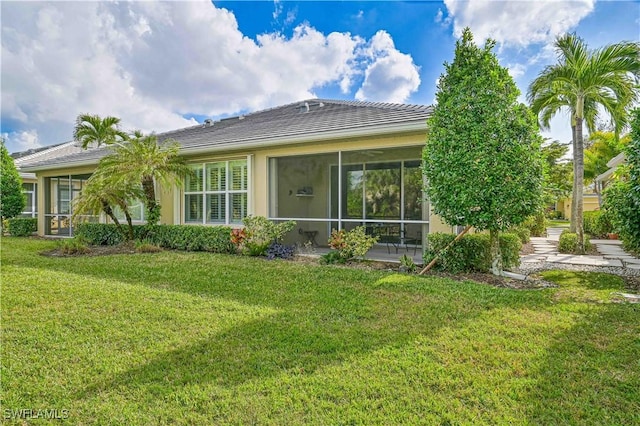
x,y
391,76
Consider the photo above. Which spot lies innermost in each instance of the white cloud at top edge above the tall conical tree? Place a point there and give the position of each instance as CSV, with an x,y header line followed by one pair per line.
x,y
517,23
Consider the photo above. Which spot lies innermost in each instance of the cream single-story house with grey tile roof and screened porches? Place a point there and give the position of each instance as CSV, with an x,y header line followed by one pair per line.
x,y
325,164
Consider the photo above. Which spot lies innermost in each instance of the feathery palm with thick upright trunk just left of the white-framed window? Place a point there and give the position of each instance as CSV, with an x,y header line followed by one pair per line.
x,y
141,161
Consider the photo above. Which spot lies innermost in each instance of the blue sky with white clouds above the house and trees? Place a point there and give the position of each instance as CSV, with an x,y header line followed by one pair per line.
x,y
166,65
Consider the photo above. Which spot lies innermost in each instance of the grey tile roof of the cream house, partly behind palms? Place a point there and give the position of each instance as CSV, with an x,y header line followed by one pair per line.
x,y
315,119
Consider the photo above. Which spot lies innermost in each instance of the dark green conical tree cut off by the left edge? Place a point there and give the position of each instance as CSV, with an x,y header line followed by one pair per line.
x,y
12,199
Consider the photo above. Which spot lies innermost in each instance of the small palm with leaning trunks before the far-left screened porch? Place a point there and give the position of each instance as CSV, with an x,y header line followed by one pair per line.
x,y
100,195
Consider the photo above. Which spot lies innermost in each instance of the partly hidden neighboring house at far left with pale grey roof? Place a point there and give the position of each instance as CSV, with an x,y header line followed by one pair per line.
x,y
29,180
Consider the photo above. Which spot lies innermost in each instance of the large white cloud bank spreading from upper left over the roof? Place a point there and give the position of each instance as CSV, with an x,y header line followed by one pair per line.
x,y
151,63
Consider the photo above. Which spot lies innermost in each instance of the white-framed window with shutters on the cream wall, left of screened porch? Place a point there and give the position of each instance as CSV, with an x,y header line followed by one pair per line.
x,y
217,193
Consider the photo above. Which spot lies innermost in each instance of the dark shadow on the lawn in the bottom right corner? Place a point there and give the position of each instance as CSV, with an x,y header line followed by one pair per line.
x,y
591,374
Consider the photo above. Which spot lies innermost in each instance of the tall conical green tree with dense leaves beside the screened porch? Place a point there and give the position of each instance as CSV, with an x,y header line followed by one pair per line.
x,y
482,156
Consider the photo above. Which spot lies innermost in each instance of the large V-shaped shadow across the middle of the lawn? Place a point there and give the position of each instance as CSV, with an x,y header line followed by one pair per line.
x,y
327,315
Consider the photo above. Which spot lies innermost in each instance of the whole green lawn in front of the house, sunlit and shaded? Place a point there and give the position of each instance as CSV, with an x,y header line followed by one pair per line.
x,y
196,338
